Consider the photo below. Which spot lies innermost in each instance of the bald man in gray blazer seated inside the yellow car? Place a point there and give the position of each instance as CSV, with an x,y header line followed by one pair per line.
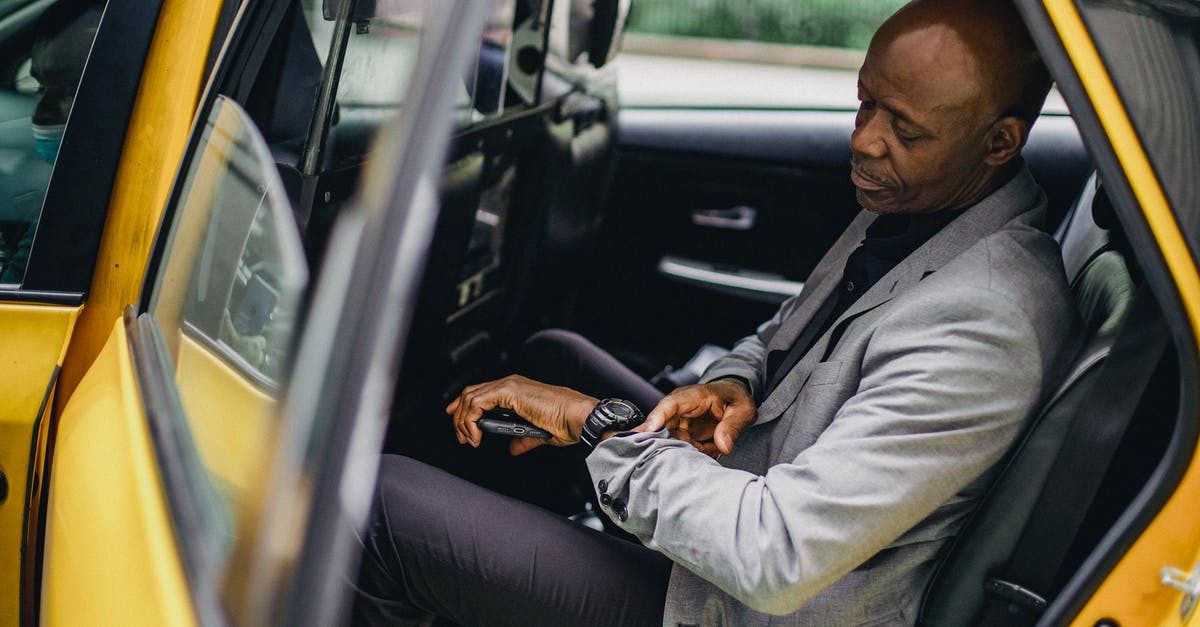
x,y
854,431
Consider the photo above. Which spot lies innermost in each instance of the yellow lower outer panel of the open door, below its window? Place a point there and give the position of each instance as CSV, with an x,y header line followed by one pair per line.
x,y
111,553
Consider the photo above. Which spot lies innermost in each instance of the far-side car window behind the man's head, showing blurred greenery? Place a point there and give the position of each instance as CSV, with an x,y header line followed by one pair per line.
x,y
754,53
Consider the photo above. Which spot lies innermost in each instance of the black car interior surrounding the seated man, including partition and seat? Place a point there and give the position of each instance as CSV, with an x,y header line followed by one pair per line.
x,y
659,232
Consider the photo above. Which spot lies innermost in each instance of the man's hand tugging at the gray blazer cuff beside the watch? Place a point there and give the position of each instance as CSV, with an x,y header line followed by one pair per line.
x,y
710,416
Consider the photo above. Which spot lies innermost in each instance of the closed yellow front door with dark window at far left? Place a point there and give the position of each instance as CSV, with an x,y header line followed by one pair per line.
x,y
69,101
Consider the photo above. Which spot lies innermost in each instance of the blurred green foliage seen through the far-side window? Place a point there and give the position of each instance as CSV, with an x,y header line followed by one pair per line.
x,y
837,23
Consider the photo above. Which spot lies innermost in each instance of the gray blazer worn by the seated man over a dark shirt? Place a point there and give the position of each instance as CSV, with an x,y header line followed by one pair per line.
x,y
869,455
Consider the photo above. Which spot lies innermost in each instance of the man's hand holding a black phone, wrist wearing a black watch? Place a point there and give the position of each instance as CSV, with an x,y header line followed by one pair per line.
x,y
555,409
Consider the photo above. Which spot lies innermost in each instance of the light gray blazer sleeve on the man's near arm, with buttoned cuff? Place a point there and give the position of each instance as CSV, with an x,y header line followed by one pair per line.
x,y
944,393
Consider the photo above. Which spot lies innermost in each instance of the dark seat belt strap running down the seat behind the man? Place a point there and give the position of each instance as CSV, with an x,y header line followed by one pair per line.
x,y
1023,593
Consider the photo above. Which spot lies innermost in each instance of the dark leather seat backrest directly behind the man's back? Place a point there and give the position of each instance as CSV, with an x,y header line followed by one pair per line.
x,y
1103,289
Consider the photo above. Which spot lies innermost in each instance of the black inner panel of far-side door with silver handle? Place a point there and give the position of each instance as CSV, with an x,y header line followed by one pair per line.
x,y
728,212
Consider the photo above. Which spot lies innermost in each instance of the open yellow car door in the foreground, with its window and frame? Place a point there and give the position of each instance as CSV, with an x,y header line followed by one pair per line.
x,y
215,458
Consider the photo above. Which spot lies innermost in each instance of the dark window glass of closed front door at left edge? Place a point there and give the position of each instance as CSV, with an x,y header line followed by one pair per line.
x,y
38,91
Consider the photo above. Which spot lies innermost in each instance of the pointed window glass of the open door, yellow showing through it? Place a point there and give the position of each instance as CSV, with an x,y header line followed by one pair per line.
x,y
226,302
